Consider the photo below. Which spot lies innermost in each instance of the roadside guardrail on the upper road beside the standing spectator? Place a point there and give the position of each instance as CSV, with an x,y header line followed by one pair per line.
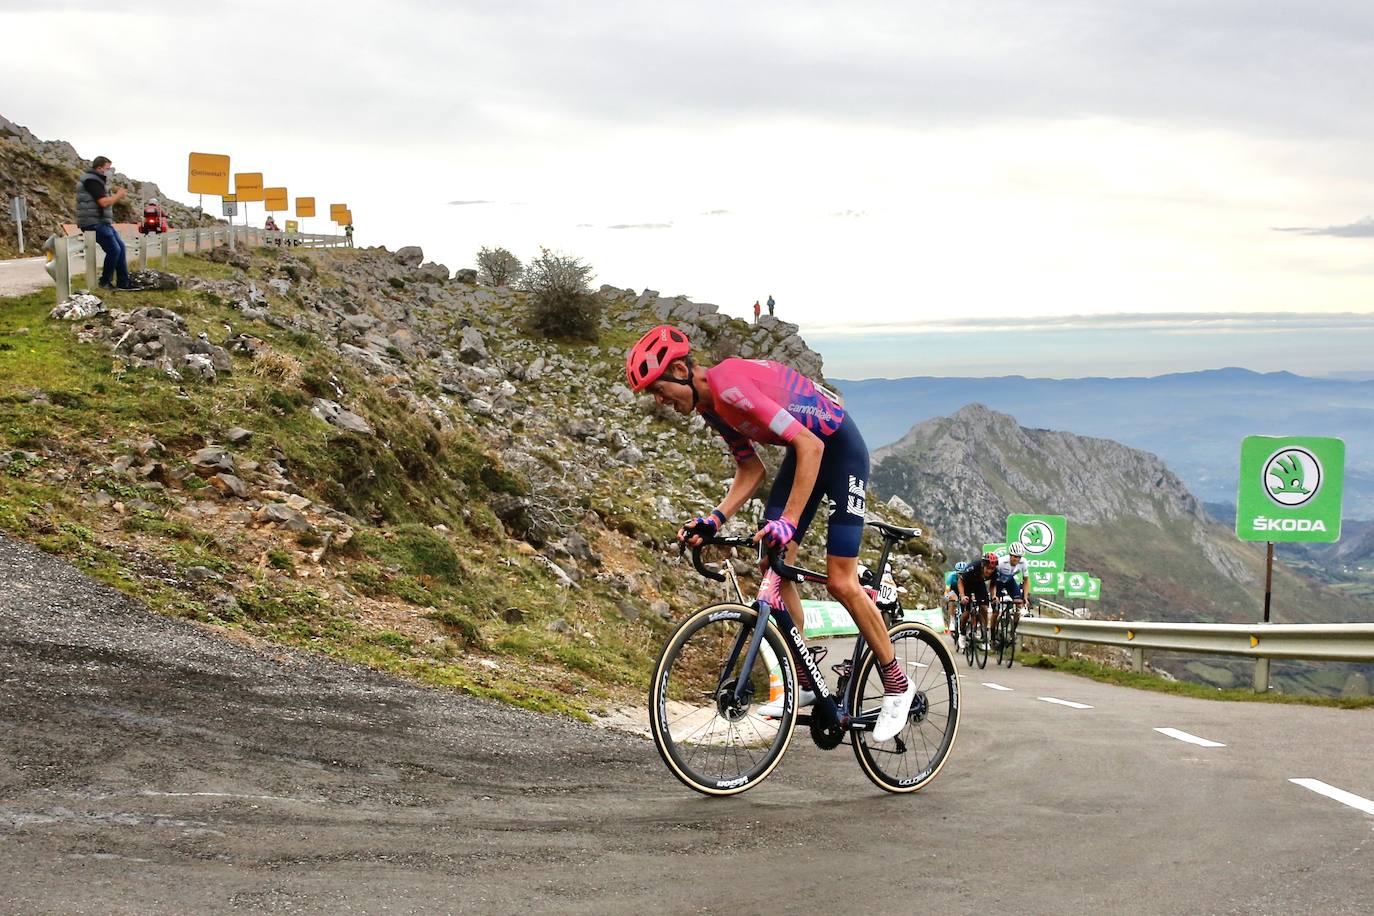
x,y
141,249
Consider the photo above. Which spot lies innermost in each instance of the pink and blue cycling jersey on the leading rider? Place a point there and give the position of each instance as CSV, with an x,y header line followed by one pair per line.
x,y
769,403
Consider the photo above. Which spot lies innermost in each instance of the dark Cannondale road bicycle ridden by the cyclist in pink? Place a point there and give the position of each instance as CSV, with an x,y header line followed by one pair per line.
x,y
726,661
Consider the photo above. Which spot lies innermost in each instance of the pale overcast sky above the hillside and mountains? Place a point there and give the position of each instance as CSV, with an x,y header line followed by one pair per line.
x,y
884,170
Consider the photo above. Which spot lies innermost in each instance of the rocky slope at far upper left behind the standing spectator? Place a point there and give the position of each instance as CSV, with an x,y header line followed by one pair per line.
x,y
46,172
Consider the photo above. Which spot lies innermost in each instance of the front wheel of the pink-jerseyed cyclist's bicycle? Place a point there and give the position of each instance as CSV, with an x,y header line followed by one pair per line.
x,y
711,742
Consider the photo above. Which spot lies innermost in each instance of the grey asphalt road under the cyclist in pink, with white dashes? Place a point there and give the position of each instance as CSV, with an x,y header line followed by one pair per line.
x,y
153,767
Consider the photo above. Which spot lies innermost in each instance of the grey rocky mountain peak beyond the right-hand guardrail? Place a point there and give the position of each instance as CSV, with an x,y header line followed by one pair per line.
x,y
1131,521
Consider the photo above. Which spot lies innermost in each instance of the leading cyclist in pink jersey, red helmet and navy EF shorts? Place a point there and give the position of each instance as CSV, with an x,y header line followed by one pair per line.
x,y
763,402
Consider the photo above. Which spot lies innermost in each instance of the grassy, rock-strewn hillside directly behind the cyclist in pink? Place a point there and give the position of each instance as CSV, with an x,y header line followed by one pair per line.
x,y
355,453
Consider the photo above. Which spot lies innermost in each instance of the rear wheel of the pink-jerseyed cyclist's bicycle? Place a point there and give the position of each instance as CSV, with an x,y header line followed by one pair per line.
x,y
914,757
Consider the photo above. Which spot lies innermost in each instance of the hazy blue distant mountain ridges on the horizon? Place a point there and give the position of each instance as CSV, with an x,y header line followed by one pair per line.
x,y
1193,421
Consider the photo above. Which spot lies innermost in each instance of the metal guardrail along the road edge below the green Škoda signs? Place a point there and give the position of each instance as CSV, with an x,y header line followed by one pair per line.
x,y
1262,642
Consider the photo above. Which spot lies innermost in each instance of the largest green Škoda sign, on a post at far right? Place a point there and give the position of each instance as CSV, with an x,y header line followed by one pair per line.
x,y
1291,488
